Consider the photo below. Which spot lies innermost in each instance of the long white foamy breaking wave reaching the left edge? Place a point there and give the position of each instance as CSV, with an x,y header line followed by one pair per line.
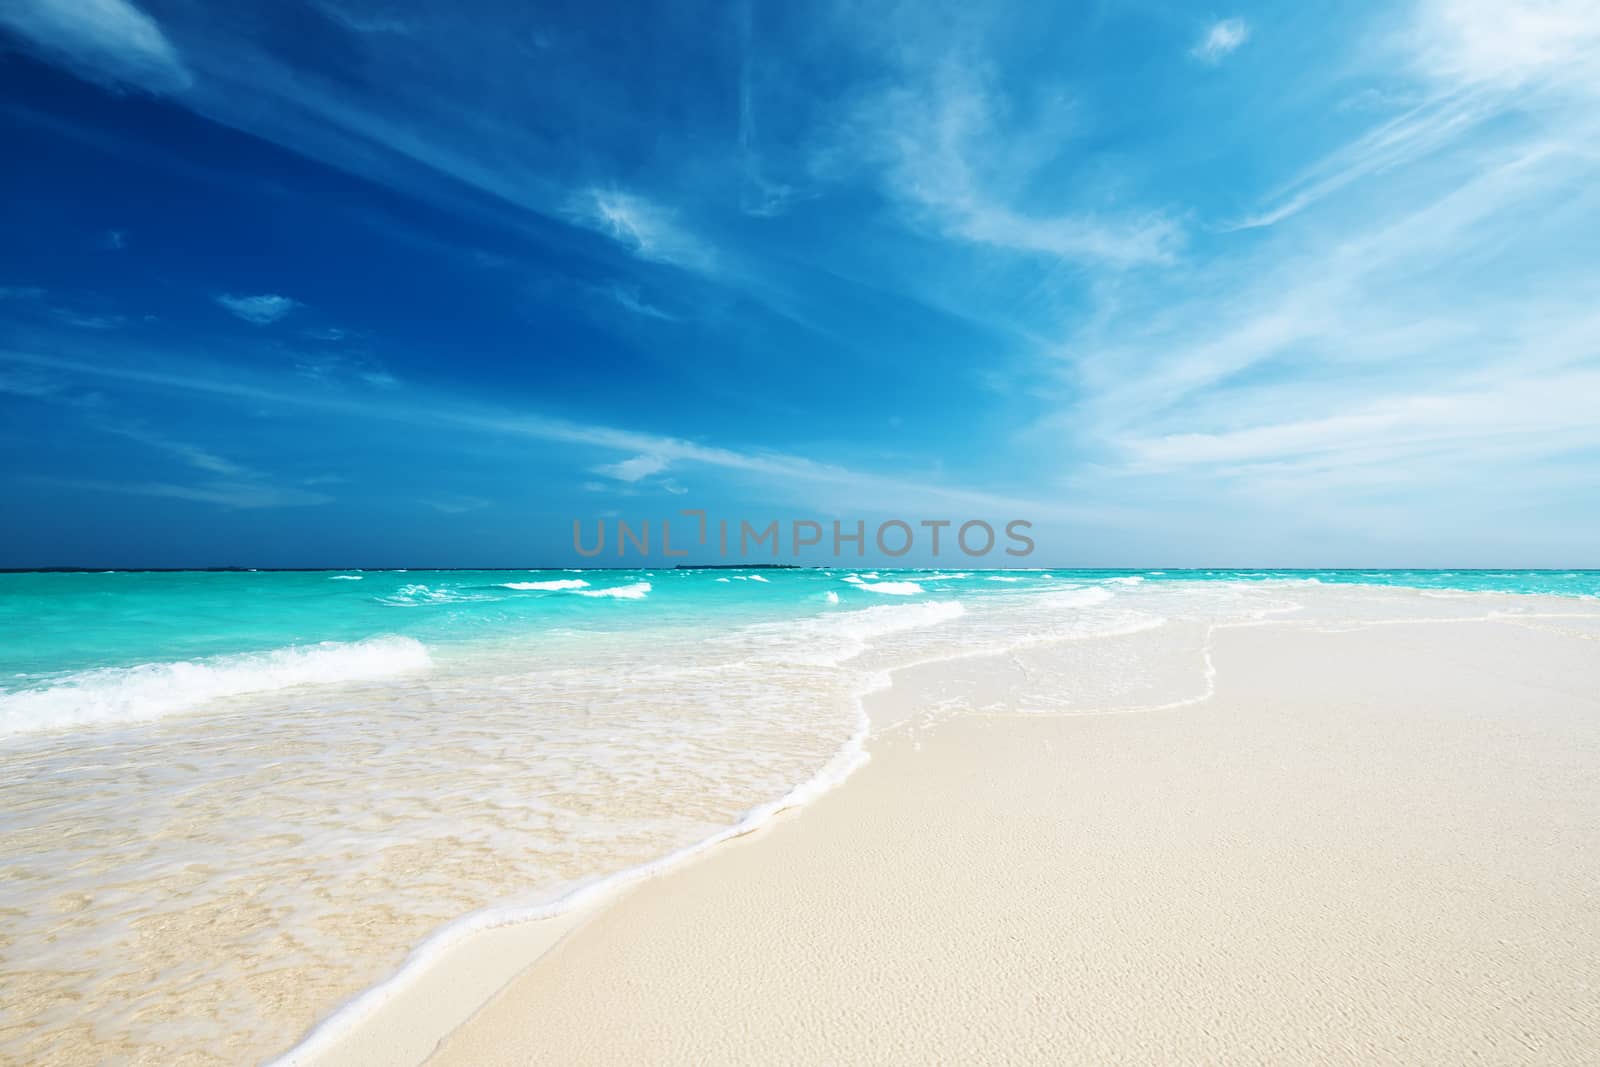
x,y
124,695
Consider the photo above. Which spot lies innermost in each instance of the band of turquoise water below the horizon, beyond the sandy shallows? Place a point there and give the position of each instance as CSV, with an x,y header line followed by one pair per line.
x,y
62,623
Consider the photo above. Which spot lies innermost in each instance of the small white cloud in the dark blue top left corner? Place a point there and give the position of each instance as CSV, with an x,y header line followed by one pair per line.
x,y
111,42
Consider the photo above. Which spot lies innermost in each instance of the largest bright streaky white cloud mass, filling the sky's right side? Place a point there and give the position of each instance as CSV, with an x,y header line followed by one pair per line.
x,y
1428,342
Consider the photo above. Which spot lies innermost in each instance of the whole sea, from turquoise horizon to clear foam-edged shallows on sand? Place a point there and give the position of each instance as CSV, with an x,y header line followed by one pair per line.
x,y
241,802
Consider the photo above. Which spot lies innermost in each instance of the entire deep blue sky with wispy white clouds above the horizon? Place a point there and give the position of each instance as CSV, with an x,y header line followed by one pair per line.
x,y
343,282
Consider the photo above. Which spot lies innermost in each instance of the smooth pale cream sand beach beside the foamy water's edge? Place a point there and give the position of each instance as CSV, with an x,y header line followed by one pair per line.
x,y
1377,845
